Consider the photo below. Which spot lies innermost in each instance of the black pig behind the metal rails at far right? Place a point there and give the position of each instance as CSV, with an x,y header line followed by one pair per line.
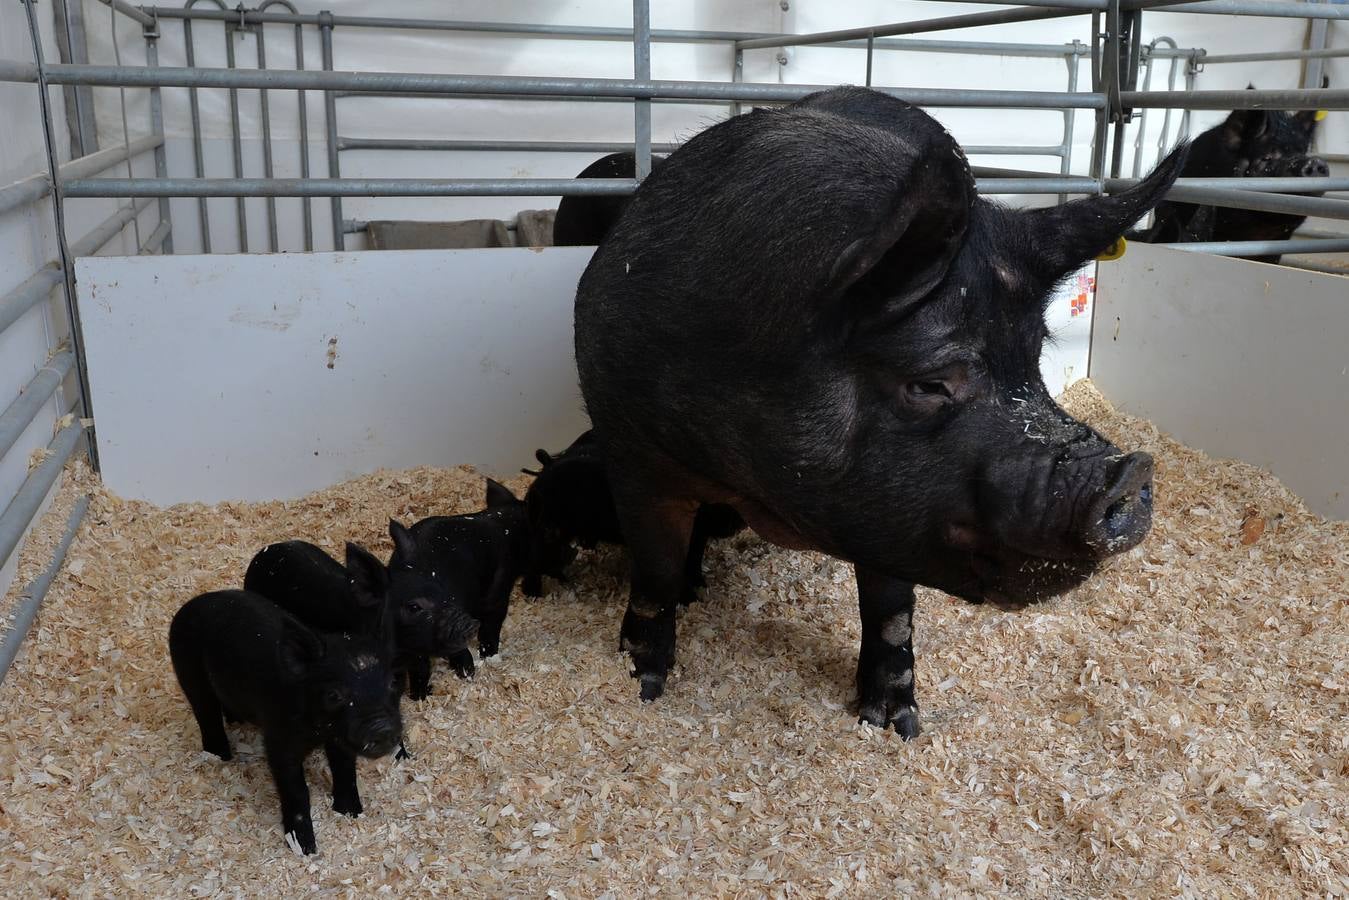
x,y
1250,144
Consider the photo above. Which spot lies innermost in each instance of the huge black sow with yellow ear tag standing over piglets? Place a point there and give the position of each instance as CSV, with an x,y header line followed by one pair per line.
x,y
844,345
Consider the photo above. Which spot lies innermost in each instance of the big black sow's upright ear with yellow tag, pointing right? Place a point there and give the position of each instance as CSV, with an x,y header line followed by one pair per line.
x,y
1066,237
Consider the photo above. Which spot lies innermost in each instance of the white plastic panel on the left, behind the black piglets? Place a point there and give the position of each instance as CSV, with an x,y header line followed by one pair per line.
x,y
269,377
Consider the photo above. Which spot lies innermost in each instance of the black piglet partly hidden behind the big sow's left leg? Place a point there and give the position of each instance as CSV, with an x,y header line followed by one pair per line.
x,y
570,503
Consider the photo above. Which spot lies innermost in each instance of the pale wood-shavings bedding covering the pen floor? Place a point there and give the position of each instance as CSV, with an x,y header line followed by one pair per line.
x,y
1176,727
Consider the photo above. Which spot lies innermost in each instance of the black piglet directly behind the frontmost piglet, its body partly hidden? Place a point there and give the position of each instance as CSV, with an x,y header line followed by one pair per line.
x,y
319,592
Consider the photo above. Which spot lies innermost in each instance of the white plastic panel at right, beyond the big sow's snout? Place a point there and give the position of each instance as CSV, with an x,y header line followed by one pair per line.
x,y
1236,358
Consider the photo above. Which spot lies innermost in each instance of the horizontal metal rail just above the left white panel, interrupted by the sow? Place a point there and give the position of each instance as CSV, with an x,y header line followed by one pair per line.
x,y
451,187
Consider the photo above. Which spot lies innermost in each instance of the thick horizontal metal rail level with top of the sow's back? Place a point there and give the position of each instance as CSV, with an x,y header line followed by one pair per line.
x,y
590,88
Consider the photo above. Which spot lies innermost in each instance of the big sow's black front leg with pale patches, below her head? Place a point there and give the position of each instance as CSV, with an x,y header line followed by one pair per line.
x,y
886,665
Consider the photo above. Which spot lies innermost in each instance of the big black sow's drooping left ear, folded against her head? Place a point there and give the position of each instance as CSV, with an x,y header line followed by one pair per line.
x,y
911,248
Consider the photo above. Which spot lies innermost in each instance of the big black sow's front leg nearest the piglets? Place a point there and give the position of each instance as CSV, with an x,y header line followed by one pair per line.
x,y
658,534
